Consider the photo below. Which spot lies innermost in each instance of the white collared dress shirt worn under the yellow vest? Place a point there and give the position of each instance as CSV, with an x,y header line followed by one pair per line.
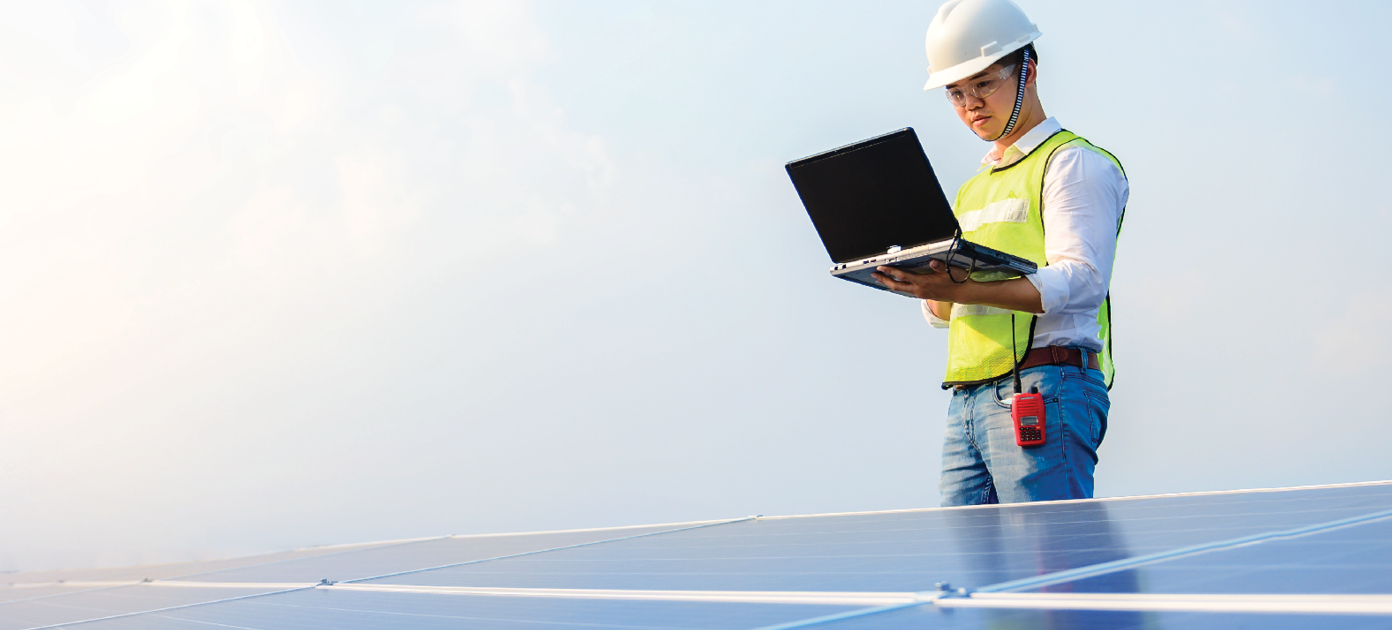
x,y
1085,195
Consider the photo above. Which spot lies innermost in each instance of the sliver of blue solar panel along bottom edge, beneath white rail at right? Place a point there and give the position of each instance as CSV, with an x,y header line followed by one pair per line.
x,y
929,618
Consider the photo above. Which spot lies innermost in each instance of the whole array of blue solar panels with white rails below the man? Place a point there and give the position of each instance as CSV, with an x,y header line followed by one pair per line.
x,y
1288,558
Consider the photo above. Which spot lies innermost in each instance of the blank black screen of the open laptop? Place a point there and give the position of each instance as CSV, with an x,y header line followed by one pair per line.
x,y
873,195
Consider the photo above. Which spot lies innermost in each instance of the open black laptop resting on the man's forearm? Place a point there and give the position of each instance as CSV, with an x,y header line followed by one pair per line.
x,y
879,204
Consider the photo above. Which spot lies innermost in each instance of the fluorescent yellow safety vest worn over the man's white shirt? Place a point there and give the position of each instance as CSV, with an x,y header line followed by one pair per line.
x,y
1002,209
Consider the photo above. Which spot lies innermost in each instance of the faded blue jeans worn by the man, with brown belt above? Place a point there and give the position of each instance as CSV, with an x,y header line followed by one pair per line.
x,y
983,465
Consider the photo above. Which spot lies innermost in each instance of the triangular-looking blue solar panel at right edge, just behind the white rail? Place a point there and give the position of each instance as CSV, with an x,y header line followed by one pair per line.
x,y
1351,561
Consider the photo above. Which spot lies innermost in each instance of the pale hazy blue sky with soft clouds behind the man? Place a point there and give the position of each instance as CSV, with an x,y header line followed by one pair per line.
x,y
300,273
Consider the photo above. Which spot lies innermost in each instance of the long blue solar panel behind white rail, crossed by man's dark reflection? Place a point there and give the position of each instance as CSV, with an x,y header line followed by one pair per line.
x,y
912,551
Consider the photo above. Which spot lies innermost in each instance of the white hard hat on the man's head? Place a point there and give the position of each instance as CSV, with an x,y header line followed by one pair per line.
x,y
970,35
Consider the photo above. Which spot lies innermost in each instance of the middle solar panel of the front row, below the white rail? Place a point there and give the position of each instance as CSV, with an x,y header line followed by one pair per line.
x,y
351,611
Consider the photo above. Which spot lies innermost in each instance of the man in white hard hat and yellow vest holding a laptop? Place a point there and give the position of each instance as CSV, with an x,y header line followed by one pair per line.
x,y
1046,195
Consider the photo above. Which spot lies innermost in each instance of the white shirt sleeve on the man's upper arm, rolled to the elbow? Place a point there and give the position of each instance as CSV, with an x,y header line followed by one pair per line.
x,y
1084,200
